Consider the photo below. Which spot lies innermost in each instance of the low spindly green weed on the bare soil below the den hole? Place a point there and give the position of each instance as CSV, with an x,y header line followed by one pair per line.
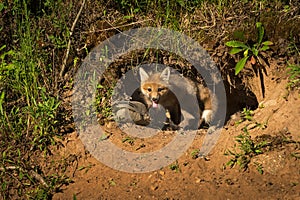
x,y
247,149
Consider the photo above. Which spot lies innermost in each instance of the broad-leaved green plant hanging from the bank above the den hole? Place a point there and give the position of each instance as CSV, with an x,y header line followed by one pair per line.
x,y
250,50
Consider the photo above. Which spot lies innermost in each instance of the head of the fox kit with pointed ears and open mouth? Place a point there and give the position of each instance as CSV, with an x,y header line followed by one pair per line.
x,y
155,86
